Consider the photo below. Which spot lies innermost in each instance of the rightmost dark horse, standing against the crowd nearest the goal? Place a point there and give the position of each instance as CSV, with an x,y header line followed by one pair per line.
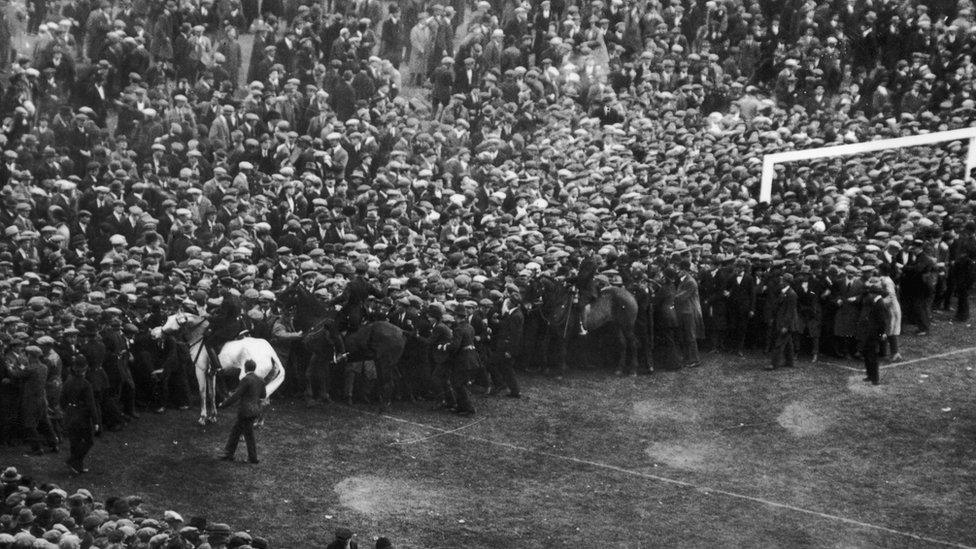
x,y
614,308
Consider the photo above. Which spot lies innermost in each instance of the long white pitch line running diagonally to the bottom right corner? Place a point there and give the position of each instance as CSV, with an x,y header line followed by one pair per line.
x,y
677,482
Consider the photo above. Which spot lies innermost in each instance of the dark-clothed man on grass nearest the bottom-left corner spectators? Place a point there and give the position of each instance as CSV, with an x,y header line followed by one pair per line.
x,y
81,418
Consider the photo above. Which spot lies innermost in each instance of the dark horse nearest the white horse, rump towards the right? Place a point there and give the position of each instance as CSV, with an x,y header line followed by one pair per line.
x,y
377,340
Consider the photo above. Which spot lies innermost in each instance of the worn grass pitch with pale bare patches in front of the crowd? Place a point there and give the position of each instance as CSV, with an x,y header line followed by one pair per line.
x,y
723,455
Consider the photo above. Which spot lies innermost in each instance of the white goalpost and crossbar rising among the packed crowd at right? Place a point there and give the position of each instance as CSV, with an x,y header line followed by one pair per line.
x,y
770,160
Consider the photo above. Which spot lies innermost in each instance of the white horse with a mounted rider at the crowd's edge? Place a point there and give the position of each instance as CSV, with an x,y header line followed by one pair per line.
x,y
232,356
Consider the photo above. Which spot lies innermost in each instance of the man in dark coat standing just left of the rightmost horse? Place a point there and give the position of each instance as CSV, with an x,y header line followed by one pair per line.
x,y
507,340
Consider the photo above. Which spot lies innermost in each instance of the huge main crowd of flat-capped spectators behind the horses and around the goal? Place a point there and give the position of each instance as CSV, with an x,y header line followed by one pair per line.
x,y
434,161
